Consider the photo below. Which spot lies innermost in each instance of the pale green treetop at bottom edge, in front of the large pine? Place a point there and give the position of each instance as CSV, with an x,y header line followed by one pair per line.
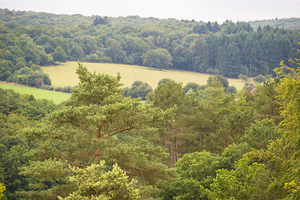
x,y
94,183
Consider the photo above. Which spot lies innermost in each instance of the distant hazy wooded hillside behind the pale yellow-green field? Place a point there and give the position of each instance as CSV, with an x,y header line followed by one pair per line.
x,y
30,39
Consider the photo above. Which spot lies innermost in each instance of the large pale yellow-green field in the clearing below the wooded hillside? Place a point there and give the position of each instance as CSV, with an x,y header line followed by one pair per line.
x,y
64,74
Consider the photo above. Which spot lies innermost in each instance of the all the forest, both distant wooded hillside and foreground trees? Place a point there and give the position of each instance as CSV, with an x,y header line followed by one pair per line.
x,y
193,142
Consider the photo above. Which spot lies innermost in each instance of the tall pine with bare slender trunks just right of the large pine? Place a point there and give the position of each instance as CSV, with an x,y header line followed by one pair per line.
x,y
175,132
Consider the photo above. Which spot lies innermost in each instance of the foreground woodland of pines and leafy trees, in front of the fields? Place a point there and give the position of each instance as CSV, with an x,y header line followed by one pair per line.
x,y
102,145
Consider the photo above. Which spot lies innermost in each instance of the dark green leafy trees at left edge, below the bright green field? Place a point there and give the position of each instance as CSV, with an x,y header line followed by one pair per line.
x,y
17,112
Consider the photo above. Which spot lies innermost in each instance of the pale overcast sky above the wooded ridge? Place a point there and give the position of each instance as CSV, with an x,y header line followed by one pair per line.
x,y
205,10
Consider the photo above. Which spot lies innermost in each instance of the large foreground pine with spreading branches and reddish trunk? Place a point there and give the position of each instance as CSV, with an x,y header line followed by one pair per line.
x,y
97,123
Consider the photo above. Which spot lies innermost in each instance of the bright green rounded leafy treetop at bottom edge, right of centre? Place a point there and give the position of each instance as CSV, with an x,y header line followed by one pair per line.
x,y
241,183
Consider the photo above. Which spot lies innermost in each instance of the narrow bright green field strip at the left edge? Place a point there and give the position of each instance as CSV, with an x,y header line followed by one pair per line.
x,y
57,97
